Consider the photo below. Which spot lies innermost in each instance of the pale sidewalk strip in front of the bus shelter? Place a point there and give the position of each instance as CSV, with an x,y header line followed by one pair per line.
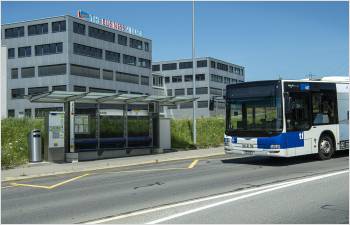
x,y
49,169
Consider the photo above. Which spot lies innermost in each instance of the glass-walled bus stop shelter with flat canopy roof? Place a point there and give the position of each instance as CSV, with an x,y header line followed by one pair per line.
x,y
105,125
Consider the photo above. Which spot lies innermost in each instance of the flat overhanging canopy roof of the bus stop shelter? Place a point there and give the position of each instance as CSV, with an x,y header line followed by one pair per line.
x,y
106,98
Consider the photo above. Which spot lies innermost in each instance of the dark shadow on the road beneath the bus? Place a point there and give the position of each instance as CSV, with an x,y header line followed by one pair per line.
x,y
272,161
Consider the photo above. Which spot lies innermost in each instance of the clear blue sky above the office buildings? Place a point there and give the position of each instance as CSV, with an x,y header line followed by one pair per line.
x,y
272,40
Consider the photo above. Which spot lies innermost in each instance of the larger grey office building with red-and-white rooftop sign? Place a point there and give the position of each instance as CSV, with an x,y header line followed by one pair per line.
x,y
66,53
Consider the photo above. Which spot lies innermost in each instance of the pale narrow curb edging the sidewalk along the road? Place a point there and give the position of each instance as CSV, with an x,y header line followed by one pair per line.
x,y
8,179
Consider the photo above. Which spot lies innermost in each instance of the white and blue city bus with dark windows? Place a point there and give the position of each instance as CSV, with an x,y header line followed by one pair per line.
x,y
284,118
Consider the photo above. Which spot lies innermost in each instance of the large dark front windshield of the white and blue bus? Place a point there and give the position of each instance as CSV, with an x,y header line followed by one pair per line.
x,y
254,111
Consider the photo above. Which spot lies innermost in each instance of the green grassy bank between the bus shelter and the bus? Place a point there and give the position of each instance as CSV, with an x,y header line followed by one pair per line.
x,y
210,133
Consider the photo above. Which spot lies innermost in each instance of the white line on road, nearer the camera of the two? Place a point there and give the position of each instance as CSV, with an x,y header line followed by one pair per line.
x,y
300,181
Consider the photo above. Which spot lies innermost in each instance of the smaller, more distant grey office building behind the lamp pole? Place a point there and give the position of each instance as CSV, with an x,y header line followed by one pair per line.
x,y
174,78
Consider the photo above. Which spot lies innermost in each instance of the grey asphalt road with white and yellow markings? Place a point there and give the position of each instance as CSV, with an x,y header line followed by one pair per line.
x,y
214,190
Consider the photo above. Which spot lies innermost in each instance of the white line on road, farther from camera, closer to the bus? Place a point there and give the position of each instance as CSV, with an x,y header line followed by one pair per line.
x,y
141,212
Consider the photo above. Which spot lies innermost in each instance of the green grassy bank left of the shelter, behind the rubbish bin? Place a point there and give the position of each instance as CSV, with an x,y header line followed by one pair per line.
x,y
14,144
